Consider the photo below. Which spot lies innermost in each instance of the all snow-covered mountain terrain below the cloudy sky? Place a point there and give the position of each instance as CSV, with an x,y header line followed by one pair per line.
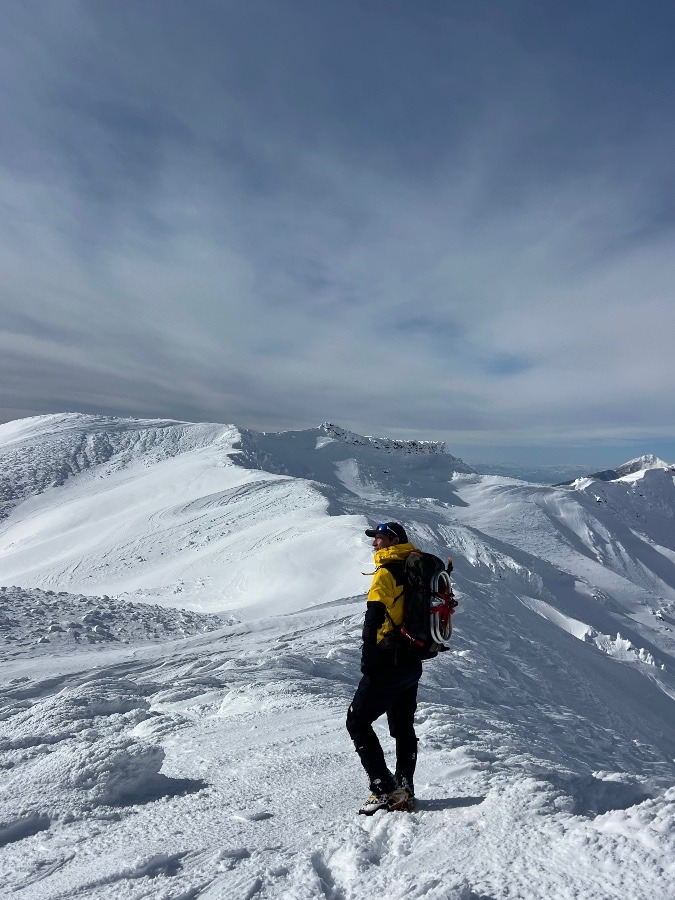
x,y
149,751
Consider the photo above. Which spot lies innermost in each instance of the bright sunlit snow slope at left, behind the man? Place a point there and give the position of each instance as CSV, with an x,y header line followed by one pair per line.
x,y
162,509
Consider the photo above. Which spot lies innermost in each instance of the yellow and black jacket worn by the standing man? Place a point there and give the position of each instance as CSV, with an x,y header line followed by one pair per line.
x,y
384,610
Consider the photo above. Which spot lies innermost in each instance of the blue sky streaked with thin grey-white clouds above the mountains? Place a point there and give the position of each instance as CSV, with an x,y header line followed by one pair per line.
x,y
443,220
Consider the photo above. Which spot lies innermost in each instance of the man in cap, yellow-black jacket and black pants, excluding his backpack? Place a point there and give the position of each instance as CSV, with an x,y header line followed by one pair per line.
x,y
391,673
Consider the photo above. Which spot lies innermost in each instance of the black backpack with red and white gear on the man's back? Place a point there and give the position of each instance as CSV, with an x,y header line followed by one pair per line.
x,y
428,604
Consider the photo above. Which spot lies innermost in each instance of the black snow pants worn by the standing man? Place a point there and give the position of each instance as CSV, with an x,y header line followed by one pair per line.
x,y
392,691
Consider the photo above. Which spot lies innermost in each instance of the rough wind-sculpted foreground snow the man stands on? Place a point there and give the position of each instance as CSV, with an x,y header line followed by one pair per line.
x,y
219,767
